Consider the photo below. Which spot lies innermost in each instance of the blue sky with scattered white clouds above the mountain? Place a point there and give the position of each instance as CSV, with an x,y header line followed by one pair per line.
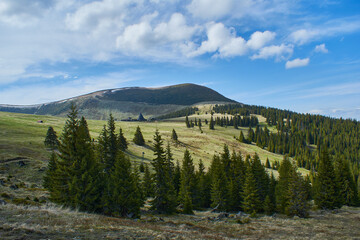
x,y
290,54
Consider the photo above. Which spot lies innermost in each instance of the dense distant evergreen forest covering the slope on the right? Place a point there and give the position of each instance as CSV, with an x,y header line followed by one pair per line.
x,y
302,135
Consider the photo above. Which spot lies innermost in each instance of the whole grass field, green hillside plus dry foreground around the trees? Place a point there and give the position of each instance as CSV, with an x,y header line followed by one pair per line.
x,y
29,215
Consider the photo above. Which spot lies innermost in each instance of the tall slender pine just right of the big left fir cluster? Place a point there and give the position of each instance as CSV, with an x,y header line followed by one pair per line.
x,y
165,198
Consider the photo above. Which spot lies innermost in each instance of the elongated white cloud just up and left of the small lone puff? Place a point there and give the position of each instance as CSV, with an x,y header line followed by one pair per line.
x,y
279,52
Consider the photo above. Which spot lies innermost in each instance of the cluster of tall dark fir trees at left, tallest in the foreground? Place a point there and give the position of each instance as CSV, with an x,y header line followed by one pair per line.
x,y
93,177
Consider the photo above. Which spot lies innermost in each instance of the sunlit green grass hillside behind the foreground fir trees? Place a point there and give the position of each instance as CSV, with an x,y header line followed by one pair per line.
x,y
22,136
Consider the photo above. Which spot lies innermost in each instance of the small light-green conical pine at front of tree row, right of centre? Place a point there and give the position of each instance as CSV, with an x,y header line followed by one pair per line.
x,y
251,203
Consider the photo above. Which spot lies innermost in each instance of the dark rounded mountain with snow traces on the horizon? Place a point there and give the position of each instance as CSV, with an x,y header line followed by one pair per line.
x,y
127,102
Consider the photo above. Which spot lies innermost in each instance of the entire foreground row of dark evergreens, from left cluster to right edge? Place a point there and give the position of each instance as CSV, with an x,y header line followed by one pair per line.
x,y
98,177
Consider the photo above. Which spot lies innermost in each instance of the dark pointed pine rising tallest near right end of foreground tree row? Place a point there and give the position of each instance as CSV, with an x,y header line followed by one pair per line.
x,y
325,188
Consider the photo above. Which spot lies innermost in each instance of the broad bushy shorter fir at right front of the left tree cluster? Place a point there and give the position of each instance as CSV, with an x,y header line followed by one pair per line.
x,y
125,198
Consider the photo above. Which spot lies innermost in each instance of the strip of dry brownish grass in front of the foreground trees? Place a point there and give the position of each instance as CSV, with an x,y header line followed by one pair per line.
x,y
51,222
